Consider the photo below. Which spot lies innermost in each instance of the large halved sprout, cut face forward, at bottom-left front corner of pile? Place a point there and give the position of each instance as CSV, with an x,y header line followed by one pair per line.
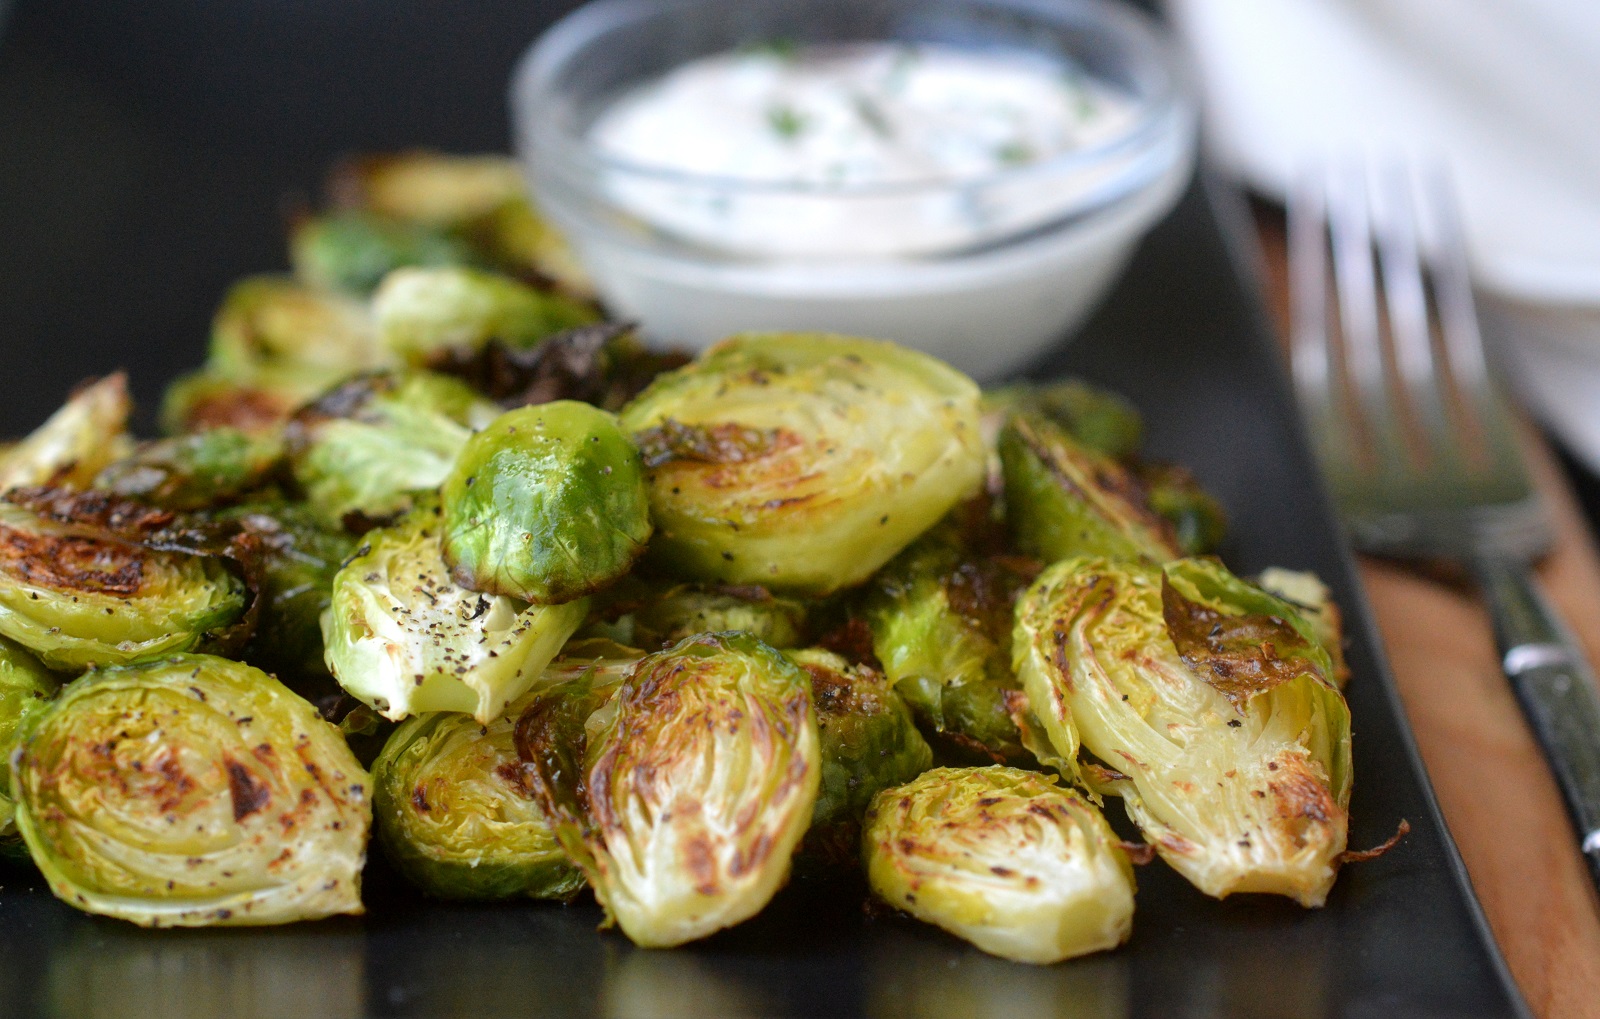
x,y
193,791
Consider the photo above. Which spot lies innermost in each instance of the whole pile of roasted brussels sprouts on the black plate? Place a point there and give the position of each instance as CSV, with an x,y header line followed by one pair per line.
x,y
433,549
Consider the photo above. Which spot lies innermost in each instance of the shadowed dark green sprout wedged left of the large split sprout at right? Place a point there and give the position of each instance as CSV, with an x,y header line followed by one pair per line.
x,y
942,626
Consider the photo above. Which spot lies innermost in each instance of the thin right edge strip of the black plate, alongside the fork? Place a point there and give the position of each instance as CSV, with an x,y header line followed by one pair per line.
x,y
1231,212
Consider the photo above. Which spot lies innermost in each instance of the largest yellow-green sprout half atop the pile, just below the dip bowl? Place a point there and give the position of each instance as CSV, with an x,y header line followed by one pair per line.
x,y
804,462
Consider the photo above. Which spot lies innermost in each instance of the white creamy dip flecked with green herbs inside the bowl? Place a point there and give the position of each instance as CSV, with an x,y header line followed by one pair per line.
x,y
858,151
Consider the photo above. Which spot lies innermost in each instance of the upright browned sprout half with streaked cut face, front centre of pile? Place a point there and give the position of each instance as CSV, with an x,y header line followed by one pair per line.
x,y
697,783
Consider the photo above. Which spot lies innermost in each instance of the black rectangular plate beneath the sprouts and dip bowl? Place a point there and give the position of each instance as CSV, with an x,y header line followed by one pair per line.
x,y
145,148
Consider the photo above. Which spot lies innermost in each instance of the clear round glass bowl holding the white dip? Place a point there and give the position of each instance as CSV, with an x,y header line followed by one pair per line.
x,y
1044,244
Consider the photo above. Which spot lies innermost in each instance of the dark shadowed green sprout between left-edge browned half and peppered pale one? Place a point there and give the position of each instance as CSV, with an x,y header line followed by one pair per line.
x,y
298,561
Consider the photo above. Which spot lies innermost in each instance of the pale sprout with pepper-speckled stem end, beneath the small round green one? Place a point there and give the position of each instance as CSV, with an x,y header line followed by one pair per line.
x,y
406,639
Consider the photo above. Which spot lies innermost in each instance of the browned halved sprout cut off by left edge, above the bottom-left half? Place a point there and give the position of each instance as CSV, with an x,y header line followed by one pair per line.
x,y
79,602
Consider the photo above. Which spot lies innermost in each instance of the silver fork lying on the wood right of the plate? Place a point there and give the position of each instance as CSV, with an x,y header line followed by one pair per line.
x,y
1415,439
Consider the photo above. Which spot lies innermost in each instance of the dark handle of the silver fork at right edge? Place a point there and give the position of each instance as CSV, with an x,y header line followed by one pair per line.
x,y
1556,687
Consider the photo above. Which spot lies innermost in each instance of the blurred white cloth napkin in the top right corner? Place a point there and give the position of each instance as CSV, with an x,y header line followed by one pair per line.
x,y
1506,94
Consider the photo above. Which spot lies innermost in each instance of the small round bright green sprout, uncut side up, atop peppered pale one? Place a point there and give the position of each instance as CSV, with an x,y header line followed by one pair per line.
x,y
546,505
